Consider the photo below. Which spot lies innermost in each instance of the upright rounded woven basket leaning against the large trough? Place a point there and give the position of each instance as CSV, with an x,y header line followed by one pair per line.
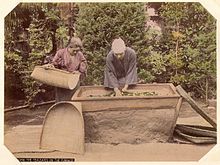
x,y
63,128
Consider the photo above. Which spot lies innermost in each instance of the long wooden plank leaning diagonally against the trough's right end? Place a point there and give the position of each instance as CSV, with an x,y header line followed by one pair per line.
x,y
195,106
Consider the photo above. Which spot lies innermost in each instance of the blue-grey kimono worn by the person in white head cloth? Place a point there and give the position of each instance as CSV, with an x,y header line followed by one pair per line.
x,y
121,72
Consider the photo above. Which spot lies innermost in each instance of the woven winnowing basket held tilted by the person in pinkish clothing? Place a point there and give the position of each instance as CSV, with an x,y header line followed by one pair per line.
x,y
55,77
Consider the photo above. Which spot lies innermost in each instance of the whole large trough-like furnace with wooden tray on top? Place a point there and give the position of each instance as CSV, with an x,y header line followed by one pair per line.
x,y
129,119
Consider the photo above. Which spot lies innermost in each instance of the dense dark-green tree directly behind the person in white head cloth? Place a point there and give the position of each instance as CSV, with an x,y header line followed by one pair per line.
x,y
98,24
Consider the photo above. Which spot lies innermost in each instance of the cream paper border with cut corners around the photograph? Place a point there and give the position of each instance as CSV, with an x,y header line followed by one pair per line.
x,y
6,157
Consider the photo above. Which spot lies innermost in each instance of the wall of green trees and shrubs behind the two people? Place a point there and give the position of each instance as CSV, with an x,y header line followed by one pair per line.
x,y
184,52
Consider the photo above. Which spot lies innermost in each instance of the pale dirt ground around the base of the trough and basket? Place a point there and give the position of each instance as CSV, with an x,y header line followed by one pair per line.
x,y
26,125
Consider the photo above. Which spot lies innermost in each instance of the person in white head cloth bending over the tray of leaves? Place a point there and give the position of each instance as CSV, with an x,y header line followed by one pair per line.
x,y
120,70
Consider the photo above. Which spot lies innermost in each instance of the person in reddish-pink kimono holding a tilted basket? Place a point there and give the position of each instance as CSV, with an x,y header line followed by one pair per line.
x,y
70,59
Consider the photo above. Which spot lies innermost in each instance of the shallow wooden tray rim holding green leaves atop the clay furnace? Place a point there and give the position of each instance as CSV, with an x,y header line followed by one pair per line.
x,y
166,97
